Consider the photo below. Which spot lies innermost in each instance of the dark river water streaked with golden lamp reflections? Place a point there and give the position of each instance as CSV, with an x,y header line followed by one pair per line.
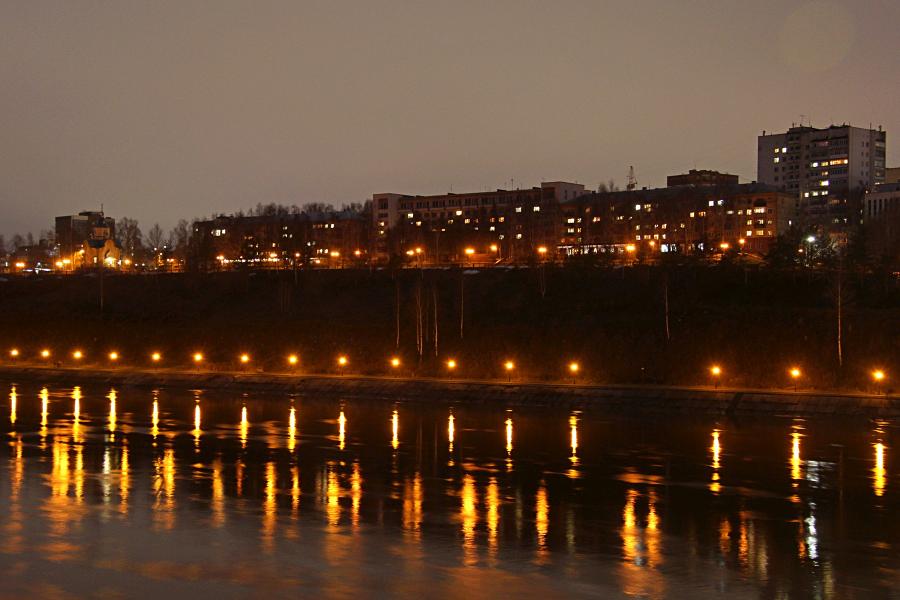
x,y
123,493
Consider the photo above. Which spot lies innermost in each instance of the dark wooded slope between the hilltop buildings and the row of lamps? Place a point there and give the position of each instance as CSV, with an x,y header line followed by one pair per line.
x,y
639,325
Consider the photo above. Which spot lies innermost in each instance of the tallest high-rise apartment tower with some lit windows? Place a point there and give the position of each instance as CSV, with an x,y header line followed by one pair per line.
x,y
829,169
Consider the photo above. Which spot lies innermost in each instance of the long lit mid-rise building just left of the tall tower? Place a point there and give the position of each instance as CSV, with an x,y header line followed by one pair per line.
x,y
678,219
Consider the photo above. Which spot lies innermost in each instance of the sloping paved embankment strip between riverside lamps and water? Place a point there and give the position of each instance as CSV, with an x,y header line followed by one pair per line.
x,y
612,399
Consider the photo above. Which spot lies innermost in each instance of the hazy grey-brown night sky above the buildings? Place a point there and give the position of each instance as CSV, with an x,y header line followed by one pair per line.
x,y
186,112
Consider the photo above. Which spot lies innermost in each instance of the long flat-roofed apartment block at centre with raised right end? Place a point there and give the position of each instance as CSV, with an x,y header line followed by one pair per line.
x,y
498,225
